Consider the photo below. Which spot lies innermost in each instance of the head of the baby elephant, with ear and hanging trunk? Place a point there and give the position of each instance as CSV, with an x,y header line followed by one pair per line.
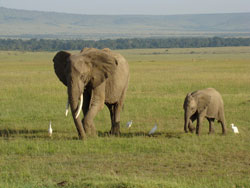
x,y
194,103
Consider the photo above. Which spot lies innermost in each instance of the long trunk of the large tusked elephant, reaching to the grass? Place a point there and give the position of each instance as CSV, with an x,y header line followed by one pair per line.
x,y
74,97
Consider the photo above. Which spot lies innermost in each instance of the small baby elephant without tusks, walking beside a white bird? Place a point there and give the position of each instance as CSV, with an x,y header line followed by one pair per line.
x,y
206,103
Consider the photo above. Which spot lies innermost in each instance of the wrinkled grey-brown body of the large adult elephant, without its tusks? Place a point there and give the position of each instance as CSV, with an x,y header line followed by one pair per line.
x,y
102,76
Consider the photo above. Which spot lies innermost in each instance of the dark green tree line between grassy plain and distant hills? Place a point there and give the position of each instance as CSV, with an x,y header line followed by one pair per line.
x,y
135,43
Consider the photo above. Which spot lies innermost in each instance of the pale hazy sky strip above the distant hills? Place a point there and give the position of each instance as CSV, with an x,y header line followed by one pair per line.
x,y
135,7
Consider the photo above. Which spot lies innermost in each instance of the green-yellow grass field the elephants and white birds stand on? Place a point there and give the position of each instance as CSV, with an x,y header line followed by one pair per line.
x,y
31,96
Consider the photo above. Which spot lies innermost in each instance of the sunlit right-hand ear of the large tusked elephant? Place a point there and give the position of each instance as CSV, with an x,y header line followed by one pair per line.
x,y
103,66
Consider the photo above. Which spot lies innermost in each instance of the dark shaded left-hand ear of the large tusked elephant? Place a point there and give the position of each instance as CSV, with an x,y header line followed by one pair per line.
x,y
60,62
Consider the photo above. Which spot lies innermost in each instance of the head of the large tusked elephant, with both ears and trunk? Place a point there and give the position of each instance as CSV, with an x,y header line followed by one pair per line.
x,y
80,70
